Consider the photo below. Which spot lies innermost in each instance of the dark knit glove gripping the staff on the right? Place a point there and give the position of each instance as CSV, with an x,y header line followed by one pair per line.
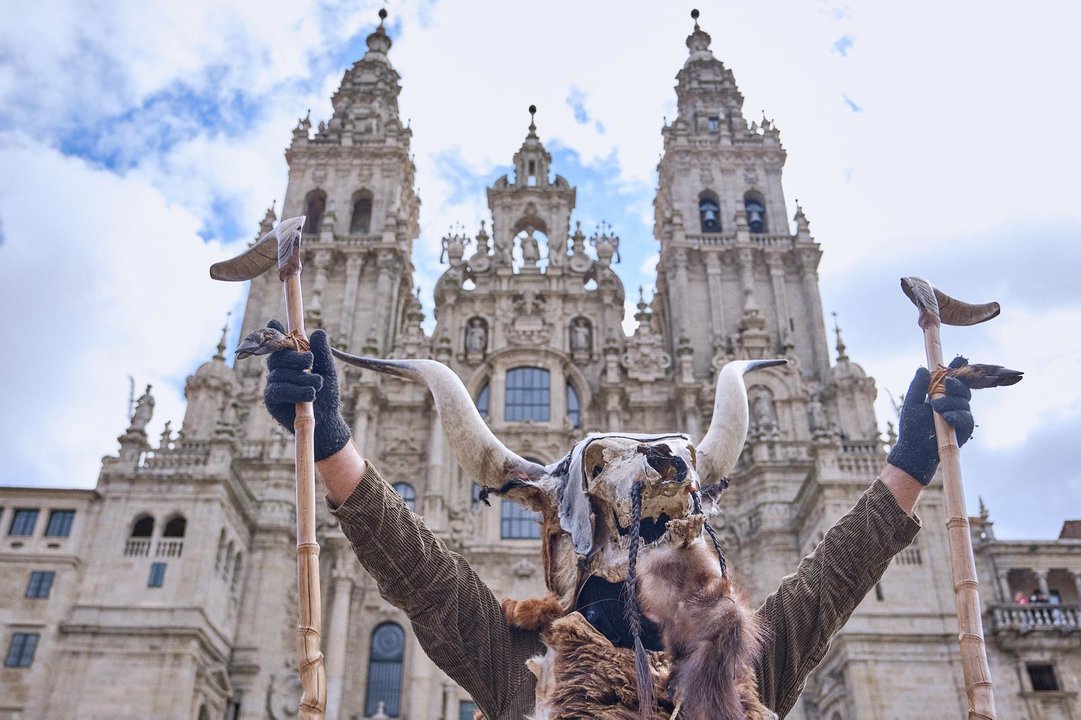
x,y
916,451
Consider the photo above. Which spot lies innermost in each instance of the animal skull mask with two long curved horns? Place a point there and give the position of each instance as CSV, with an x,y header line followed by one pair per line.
x,y
588,500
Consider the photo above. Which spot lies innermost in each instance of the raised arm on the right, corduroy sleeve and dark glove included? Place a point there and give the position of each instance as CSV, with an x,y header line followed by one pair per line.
x,y
813,604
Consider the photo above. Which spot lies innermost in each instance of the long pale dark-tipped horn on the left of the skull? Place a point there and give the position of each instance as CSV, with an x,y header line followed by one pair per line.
x,y
478,451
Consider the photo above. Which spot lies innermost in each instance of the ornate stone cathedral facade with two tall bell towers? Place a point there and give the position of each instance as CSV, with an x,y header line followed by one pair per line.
x,y
169,591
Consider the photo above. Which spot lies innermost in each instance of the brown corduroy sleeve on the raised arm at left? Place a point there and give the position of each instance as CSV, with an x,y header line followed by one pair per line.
x,y
455,616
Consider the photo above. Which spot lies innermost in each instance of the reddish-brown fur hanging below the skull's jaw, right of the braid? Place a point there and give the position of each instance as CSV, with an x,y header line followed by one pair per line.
x,y
712,636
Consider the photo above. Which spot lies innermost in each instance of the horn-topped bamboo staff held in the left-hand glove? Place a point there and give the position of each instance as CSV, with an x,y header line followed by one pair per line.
x,y
282,247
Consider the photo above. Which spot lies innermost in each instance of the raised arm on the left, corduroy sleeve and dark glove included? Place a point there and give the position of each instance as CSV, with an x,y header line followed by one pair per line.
x,y
457,619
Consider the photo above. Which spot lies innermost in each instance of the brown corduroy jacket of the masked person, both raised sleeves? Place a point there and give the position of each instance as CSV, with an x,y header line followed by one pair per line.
x,y
459,623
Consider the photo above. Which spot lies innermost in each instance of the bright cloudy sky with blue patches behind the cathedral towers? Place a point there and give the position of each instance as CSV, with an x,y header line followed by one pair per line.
x,y
142,142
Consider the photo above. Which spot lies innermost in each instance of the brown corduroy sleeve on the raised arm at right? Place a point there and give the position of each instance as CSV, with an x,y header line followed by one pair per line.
x,y
812,605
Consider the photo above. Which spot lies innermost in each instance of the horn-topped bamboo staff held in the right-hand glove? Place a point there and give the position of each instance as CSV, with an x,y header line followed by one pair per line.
x,y
936,309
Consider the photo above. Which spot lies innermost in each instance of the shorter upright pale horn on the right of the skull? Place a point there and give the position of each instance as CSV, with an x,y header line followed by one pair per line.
x,y
724,442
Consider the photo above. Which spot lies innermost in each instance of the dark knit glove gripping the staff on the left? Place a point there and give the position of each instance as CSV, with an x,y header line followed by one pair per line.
x,y
289,383
